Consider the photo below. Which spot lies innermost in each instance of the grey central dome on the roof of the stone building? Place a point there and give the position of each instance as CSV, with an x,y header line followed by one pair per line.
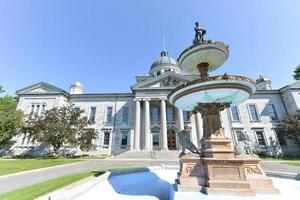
x,y
164,64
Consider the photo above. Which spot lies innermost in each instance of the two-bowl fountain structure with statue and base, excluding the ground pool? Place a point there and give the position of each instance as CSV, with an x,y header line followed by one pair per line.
x,y
215,168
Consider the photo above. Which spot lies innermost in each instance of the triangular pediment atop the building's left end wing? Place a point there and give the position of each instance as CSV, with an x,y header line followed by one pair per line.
x,y
41,88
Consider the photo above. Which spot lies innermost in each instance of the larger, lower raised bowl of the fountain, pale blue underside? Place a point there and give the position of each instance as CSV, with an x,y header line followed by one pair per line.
x,y
216,89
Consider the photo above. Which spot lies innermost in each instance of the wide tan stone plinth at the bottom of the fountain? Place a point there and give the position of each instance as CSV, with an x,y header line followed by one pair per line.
x,y
228,175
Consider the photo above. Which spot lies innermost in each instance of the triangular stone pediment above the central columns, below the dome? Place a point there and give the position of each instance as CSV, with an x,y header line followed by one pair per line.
x,y
160,82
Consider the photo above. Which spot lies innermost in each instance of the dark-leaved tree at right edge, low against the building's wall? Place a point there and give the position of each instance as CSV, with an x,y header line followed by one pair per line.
x,y
290,125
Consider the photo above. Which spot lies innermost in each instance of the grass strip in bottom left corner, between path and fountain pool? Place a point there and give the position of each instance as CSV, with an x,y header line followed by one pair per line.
x,y
37,190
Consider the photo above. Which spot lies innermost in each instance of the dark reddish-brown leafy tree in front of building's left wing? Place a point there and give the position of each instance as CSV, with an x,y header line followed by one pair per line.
x,y
61,126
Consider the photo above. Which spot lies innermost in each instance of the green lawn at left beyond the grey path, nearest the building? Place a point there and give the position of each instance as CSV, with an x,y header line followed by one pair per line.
x,y
9,166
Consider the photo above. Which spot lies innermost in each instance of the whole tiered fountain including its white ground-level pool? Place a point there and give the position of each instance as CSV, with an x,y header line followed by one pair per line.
x,y
214,169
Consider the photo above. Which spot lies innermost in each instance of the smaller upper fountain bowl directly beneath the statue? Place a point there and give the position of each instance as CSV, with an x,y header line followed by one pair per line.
x,y
214,53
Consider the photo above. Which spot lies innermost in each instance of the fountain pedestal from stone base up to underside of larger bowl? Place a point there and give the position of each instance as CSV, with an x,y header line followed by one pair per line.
x,y
218,170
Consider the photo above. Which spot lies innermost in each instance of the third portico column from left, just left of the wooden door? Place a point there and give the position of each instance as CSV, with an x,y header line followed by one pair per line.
x,y
163,120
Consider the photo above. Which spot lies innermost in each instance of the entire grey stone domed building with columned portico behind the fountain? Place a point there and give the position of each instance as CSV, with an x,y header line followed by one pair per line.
x,y
144,121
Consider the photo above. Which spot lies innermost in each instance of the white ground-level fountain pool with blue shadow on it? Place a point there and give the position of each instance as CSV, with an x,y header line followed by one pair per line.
x,y
155,183
